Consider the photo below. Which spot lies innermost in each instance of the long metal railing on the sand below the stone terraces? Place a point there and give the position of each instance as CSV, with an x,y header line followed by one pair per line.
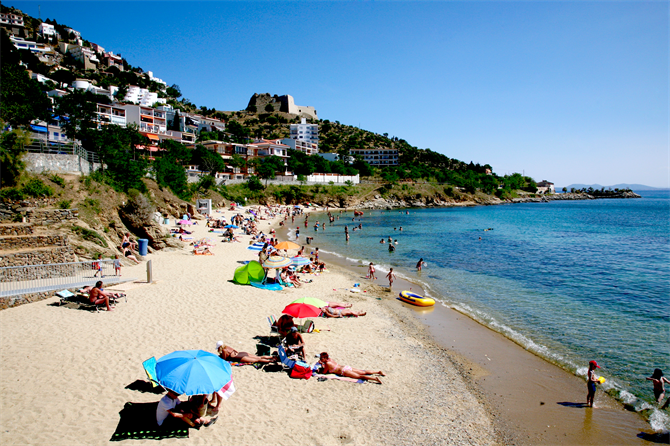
x,y
29,279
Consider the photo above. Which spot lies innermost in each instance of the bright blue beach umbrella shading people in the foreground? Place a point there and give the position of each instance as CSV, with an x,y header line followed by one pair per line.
x,y
193,372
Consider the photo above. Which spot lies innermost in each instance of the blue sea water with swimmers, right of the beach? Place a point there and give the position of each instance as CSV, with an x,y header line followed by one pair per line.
x,y
571,281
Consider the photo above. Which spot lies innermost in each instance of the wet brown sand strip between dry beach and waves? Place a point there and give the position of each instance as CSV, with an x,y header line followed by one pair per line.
x,y
520,399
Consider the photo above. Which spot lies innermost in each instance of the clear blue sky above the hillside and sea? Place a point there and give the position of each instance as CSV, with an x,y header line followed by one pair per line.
x,y
568,91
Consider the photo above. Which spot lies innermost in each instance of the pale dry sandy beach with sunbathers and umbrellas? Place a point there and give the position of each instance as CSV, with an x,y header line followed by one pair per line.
x,y
66,372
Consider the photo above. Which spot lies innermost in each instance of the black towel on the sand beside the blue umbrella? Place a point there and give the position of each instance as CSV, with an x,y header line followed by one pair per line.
x,y
138,422
